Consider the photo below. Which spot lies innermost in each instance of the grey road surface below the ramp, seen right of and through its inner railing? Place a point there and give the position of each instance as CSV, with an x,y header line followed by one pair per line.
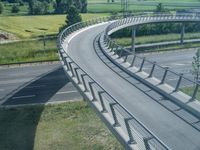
x,y
177,61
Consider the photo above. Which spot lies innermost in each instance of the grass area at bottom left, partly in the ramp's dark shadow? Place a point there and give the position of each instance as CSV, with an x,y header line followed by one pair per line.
x,y
64,126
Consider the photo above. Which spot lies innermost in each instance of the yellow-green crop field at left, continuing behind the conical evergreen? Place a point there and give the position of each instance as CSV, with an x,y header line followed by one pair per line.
x,y
34,26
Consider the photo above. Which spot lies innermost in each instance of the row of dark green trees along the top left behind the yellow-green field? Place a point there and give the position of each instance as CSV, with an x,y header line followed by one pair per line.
x,y
40,7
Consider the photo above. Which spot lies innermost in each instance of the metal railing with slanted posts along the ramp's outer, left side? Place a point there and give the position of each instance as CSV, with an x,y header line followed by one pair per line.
x,y
135,130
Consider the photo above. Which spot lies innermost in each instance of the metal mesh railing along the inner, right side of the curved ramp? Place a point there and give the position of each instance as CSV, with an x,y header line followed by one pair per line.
x,y
177,81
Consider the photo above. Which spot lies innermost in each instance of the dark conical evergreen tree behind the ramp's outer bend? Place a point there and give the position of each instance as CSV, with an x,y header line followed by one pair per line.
x,y
73,16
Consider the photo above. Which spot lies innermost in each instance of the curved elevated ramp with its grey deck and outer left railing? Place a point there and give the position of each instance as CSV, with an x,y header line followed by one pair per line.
x,y
139,116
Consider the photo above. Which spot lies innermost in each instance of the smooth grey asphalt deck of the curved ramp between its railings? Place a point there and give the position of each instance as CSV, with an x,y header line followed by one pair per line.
x,y
170,128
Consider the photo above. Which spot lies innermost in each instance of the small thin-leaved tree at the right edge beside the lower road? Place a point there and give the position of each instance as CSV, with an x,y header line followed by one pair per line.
x,y
196,65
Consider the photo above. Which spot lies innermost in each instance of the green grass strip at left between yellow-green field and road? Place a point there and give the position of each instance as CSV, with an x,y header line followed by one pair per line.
x,y
28,51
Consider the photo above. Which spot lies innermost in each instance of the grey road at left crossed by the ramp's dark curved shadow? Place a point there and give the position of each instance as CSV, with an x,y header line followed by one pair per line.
x,y
35,84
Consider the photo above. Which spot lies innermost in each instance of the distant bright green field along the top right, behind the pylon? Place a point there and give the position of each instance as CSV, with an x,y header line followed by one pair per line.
x,y
135,5
